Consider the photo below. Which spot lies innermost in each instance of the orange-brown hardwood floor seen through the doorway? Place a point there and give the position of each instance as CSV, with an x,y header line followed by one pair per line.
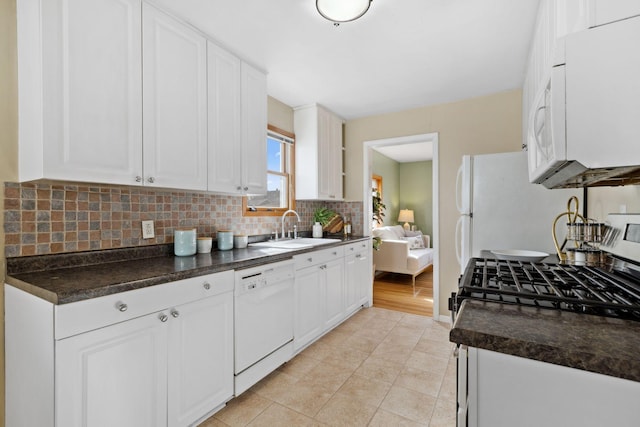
x,y
394,292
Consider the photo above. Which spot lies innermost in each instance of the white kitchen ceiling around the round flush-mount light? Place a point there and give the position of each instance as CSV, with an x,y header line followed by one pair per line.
x,y
402,54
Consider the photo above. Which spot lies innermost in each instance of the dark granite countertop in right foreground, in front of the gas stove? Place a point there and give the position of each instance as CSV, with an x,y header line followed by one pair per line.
x,y
592,343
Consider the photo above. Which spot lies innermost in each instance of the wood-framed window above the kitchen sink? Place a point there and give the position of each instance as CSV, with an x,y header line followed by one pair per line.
x,y
280,183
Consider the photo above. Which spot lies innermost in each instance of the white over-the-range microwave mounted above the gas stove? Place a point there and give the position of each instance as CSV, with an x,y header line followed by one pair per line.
x,y
585,128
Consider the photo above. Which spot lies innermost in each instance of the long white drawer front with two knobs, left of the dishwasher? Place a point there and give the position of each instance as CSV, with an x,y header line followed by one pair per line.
x,y
82,316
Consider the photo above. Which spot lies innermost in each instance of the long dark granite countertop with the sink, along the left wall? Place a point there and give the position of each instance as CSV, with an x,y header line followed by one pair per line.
x,y
72,277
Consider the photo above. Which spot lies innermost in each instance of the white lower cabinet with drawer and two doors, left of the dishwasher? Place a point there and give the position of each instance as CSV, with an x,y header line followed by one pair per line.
x,y
157,356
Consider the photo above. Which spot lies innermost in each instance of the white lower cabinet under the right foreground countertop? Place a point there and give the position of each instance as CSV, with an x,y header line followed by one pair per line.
x,y
505,391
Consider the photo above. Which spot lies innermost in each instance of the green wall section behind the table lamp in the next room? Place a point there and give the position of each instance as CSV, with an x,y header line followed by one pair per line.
x,y
416,193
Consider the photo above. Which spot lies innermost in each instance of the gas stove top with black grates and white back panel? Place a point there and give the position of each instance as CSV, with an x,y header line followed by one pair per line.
x,y
610,288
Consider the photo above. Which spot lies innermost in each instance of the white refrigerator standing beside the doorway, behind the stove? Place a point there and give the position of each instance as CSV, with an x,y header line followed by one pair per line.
x,y
500,209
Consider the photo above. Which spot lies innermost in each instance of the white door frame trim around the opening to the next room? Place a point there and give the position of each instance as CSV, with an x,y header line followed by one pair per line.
x,y
368,147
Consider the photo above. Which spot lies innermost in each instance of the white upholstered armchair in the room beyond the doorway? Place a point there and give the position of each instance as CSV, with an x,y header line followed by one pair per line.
x,y
402,254
